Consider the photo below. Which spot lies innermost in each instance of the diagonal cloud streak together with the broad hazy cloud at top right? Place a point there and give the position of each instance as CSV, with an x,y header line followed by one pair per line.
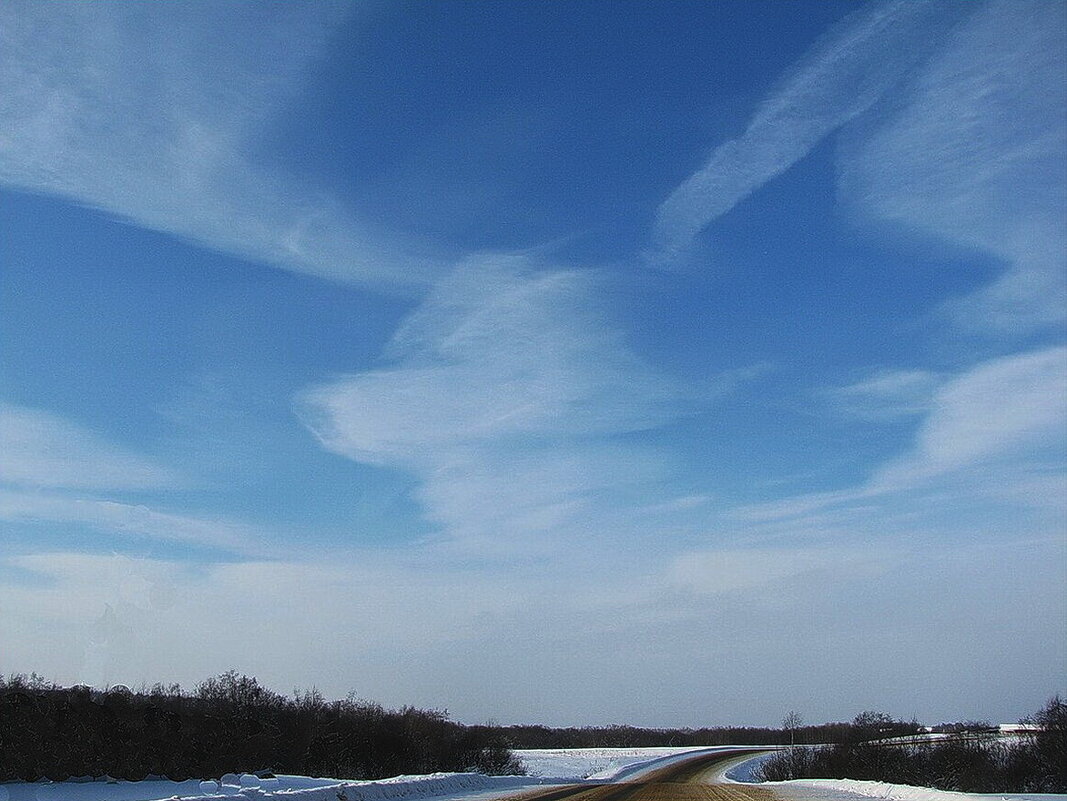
x,y
953,124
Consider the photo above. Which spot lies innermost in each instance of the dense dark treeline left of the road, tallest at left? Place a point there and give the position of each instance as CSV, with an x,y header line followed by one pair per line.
x,y
228,725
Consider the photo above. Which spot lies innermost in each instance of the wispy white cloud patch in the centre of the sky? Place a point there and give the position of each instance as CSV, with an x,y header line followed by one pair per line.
x,y
507,393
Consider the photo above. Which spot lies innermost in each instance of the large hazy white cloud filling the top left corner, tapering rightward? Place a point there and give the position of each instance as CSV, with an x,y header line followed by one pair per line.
x,y
152,114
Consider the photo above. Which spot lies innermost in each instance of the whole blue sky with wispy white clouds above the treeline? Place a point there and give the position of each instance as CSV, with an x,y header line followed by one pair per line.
x,y
657,363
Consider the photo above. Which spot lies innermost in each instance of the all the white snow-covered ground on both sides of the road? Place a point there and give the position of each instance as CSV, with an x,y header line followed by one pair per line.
x,y
546,767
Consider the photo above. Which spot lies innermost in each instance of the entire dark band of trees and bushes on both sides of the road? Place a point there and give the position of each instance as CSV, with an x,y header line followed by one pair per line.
x,y
232,725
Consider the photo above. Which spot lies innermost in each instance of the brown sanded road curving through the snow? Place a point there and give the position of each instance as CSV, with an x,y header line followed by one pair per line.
x,y
690,780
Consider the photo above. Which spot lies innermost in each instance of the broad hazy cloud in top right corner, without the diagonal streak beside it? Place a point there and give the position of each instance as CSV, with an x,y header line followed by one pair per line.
x,y
976,153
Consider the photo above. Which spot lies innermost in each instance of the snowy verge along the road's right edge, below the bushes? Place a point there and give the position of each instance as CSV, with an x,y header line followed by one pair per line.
x,y
851,790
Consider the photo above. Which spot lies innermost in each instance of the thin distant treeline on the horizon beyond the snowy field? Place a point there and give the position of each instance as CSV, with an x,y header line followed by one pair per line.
x,y
868,726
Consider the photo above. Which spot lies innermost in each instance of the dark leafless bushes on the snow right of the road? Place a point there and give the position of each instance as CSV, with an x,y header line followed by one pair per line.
x,y
972,760
